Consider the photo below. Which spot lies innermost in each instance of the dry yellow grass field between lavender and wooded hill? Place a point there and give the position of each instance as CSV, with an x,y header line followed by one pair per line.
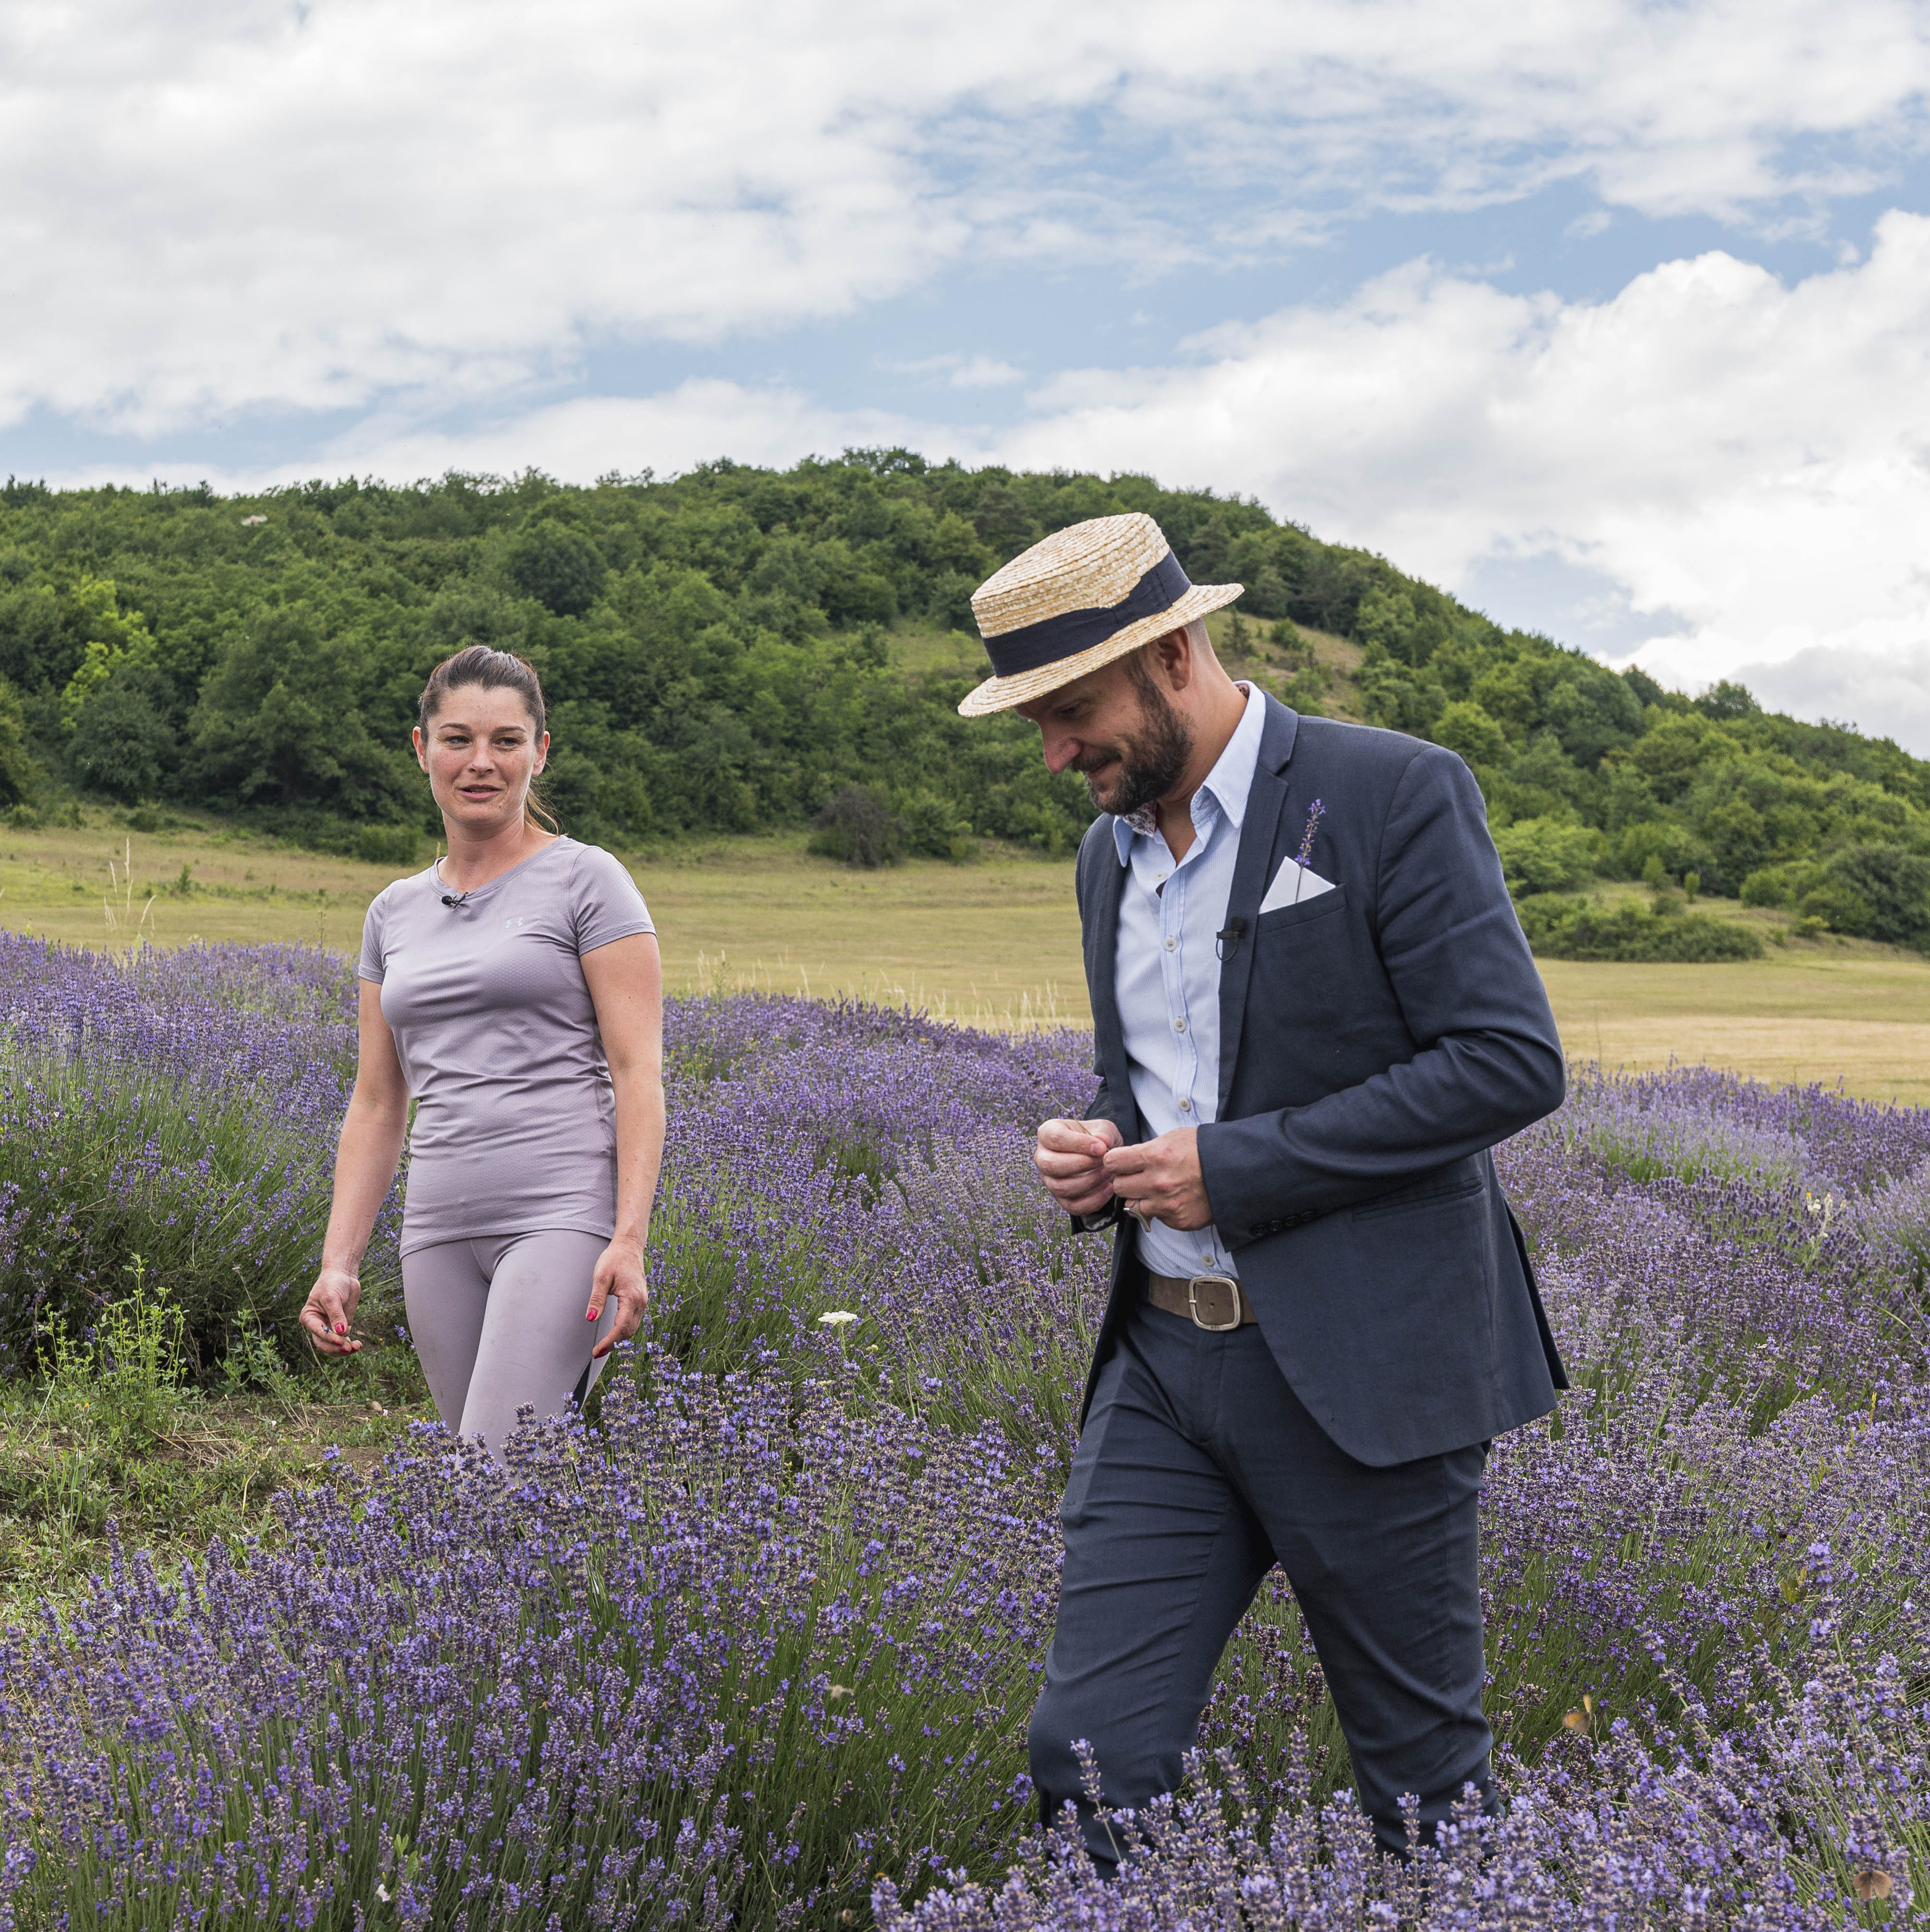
x,y
992,944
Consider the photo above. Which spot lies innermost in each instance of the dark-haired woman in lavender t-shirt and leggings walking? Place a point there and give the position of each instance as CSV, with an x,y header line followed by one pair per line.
x,y
515,994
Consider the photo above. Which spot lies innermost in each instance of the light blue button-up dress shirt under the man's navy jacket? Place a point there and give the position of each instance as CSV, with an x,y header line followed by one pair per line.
x,y
1168,971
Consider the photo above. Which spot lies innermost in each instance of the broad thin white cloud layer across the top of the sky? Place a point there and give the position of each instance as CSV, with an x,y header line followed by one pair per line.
x,y
244,206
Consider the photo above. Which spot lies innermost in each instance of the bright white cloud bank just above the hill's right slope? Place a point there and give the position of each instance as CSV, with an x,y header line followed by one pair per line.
x,y
1744,461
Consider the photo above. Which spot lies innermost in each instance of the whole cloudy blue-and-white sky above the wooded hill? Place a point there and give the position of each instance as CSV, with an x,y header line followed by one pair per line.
x,y
1612,318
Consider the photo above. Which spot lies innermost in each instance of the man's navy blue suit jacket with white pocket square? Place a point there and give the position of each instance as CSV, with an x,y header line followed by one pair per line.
x,y
1375,1044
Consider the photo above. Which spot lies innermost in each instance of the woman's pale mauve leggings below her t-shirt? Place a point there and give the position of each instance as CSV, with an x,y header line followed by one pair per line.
x,y
499,1322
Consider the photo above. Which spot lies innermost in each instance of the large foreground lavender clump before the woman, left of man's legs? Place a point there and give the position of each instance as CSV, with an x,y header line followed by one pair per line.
x,y
584,1697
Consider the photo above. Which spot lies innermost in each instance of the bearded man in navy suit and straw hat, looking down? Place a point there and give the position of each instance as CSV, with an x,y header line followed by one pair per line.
x,y
1315,1015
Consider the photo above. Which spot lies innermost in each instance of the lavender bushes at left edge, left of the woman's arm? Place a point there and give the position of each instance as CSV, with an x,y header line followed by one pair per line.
x,y
181,1110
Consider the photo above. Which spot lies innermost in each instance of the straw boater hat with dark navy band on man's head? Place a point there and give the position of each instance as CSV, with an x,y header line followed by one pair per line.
x,y
1075,602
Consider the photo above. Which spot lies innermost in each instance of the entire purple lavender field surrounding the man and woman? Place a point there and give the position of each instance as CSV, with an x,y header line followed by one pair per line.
x,y
756,1643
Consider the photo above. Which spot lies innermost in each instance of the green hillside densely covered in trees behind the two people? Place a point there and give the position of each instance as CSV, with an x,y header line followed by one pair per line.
x,y
731,648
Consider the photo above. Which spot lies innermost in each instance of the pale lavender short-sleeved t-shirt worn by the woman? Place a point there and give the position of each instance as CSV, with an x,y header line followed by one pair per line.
x,y
497,1035
